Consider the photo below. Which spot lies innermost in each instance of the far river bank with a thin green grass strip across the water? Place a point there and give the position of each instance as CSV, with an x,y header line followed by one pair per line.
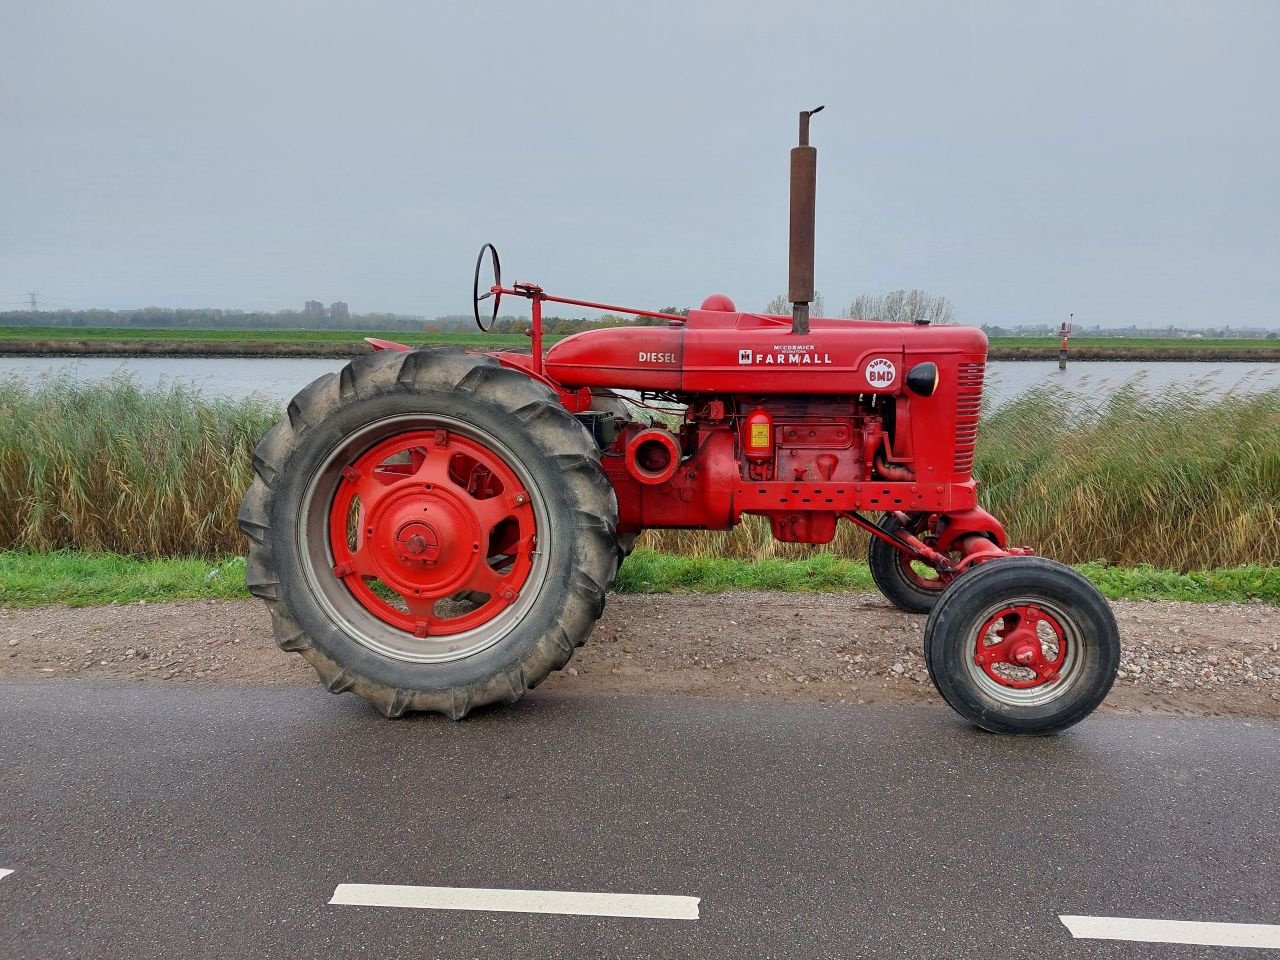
x,y
337,350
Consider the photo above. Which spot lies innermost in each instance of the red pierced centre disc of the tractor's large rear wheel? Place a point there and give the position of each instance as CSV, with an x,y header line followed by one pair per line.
x,y
424,516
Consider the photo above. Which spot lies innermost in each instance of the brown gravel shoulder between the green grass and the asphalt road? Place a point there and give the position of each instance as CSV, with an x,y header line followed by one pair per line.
x,y
1190,659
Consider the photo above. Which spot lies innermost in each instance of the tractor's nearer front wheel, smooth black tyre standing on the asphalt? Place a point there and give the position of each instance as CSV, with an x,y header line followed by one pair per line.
x,y
1022,646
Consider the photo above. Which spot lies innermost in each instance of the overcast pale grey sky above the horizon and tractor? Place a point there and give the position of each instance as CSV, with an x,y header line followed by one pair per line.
x,y
1121,161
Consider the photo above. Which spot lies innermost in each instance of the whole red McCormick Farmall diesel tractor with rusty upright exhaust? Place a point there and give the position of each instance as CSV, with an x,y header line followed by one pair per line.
x,y
437,531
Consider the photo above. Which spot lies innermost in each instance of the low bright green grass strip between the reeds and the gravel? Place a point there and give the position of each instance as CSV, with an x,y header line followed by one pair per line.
x,y
97,579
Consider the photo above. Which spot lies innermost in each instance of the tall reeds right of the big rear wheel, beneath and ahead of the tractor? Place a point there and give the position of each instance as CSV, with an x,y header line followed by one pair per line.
x,y
1176,481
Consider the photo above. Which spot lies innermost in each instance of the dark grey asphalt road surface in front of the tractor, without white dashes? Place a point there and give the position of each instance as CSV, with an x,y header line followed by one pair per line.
x,y
191,822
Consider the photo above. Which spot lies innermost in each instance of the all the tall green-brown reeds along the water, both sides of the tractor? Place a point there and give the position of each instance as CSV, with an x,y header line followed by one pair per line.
x,y
1178,481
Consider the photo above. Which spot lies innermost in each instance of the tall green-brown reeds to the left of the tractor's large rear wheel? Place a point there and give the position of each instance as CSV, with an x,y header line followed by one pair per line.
x,y
113,467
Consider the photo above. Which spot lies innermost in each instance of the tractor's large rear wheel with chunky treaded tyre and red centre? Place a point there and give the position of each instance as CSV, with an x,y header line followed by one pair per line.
x,y
431,531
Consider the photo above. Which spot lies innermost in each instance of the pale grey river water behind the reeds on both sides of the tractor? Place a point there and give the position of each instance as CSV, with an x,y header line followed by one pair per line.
x,y
280,378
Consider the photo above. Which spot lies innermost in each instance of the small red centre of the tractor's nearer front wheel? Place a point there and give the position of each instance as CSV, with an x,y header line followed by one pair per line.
x,y
1022,647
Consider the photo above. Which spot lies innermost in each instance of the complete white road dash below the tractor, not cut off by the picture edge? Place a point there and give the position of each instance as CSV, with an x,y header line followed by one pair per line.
x,y
531,902
